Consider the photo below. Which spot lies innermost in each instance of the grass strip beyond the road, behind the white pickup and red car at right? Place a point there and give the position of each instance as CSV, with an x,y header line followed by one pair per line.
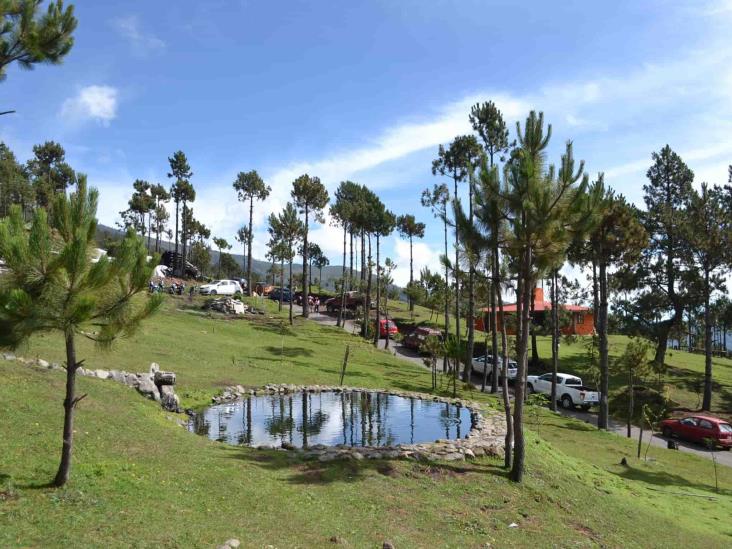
x,y
684,378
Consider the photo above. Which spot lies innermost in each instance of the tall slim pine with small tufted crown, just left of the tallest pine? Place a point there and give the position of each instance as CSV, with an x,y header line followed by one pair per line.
x,y
456,162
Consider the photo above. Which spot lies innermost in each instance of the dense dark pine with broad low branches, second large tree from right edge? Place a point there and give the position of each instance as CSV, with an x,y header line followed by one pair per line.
x,y
659,297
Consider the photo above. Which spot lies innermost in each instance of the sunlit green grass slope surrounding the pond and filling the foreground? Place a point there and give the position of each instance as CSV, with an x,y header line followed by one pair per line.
x,y
139,479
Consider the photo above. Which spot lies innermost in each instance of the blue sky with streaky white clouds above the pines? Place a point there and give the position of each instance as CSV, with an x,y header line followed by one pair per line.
x,y
367,91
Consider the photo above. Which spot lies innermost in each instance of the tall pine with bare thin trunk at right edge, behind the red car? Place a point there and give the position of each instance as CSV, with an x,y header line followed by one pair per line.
x,y
709,235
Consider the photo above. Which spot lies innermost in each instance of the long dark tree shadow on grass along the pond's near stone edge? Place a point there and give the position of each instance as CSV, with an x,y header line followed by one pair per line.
x,y
313,472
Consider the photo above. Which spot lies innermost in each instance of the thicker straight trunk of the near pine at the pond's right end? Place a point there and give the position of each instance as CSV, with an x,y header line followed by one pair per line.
x,y
517,471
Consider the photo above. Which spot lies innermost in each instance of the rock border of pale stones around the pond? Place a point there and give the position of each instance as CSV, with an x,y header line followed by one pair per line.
x,y
486,438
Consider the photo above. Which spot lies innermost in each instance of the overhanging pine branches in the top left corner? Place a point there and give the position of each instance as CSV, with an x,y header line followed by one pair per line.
x,y
29,38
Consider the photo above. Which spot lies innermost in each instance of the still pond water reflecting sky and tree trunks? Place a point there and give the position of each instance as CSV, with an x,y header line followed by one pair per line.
x,y
331,418
